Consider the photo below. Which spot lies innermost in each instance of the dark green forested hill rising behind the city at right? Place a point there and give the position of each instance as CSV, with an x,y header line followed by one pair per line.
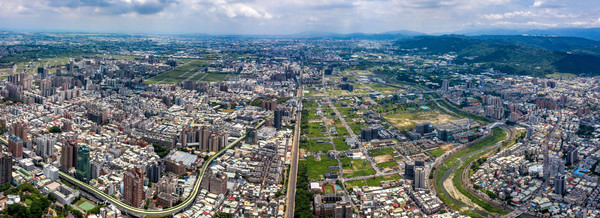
x,y
525,55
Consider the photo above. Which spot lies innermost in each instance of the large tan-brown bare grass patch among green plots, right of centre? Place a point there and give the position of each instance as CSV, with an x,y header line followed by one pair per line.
x,y
406,121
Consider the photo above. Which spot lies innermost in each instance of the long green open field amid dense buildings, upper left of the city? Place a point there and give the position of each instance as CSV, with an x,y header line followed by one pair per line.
x,y
179,73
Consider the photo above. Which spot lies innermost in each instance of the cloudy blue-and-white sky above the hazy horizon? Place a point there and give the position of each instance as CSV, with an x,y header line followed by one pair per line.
x,y
294,16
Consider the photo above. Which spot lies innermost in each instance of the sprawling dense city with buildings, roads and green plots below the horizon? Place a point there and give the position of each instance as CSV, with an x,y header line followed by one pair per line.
x,y
141,125
